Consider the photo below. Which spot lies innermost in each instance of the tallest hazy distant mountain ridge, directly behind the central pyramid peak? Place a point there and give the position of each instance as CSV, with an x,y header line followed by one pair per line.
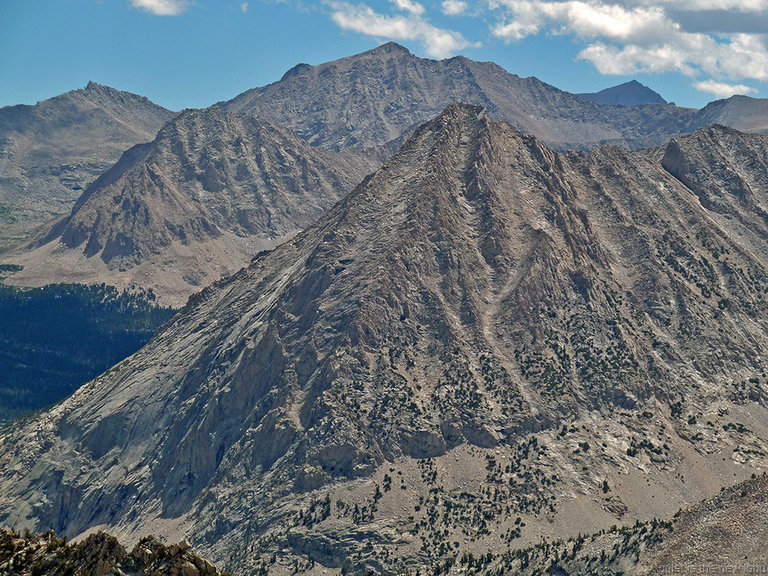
x,y
376,97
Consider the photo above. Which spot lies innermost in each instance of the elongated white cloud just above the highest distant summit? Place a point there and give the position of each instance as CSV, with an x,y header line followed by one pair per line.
x,y
437,42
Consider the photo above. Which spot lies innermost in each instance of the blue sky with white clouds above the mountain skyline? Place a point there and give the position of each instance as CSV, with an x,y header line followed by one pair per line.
x,y
194,53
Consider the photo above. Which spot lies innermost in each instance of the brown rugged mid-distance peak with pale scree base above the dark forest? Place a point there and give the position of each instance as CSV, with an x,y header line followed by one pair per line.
x,y
197,203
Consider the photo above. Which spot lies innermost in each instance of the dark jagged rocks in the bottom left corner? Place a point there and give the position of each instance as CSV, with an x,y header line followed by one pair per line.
x,y
98,554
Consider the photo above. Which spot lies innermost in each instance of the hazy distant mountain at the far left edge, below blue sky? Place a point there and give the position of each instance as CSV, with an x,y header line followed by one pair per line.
x,y
51,151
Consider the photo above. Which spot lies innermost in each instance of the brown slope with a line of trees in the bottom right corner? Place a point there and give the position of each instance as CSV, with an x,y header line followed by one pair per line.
x,y
724,533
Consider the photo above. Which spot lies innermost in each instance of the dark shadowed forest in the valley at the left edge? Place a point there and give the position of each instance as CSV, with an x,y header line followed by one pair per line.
x,y
56,338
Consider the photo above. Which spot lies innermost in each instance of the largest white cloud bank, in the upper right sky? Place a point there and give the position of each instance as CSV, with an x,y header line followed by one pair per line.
x,y
635,36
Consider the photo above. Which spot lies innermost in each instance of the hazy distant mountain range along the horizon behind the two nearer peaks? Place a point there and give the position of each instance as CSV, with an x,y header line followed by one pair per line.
x,y
51,152
